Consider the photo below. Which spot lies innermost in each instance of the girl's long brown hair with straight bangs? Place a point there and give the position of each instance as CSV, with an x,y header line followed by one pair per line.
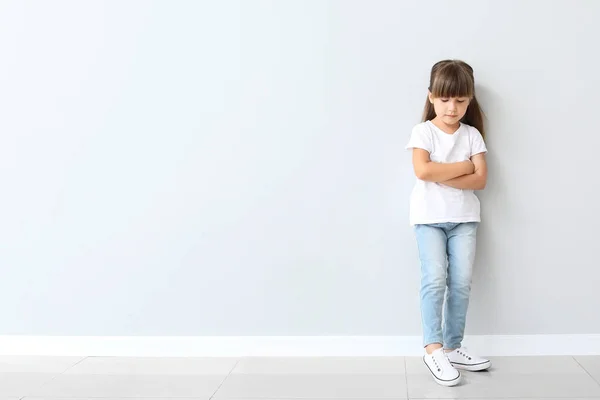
x,y
454,78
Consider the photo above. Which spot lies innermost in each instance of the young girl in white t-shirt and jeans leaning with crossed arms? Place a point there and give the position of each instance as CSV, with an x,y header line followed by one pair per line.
x,y
449,161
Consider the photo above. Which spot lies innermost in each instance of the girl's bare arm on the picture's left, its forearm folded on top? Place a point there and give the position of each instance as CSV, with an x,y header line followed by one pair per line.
x,y
427,170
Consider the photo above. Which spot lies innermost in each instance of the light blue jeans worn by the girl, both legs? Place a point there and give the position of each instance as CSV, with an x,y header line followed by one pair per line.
x,y
447,253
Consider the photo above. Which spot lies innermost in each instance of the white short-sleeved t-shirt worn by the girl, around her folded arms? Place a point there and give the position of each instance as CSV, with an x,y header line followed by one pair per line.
x,y
432,202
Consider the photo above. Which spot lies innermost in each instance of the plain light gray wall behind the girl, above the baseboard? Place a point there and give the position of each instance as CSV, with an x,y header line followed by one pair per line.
x,y
237,167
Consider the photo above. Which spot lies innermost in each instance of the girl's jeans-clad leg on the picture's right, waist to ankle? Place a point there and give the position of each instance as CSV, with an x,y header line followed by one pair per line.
x,y
461,256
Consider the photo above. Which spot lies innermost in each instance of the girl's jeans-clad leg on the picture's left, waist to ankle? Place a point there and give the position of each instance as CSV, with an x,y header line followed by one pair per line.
x,y
431,241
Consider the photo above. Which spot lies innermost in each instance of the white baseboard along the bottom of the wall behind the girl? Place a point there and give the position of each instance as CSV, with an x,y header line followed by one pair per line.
x,y
287,346
